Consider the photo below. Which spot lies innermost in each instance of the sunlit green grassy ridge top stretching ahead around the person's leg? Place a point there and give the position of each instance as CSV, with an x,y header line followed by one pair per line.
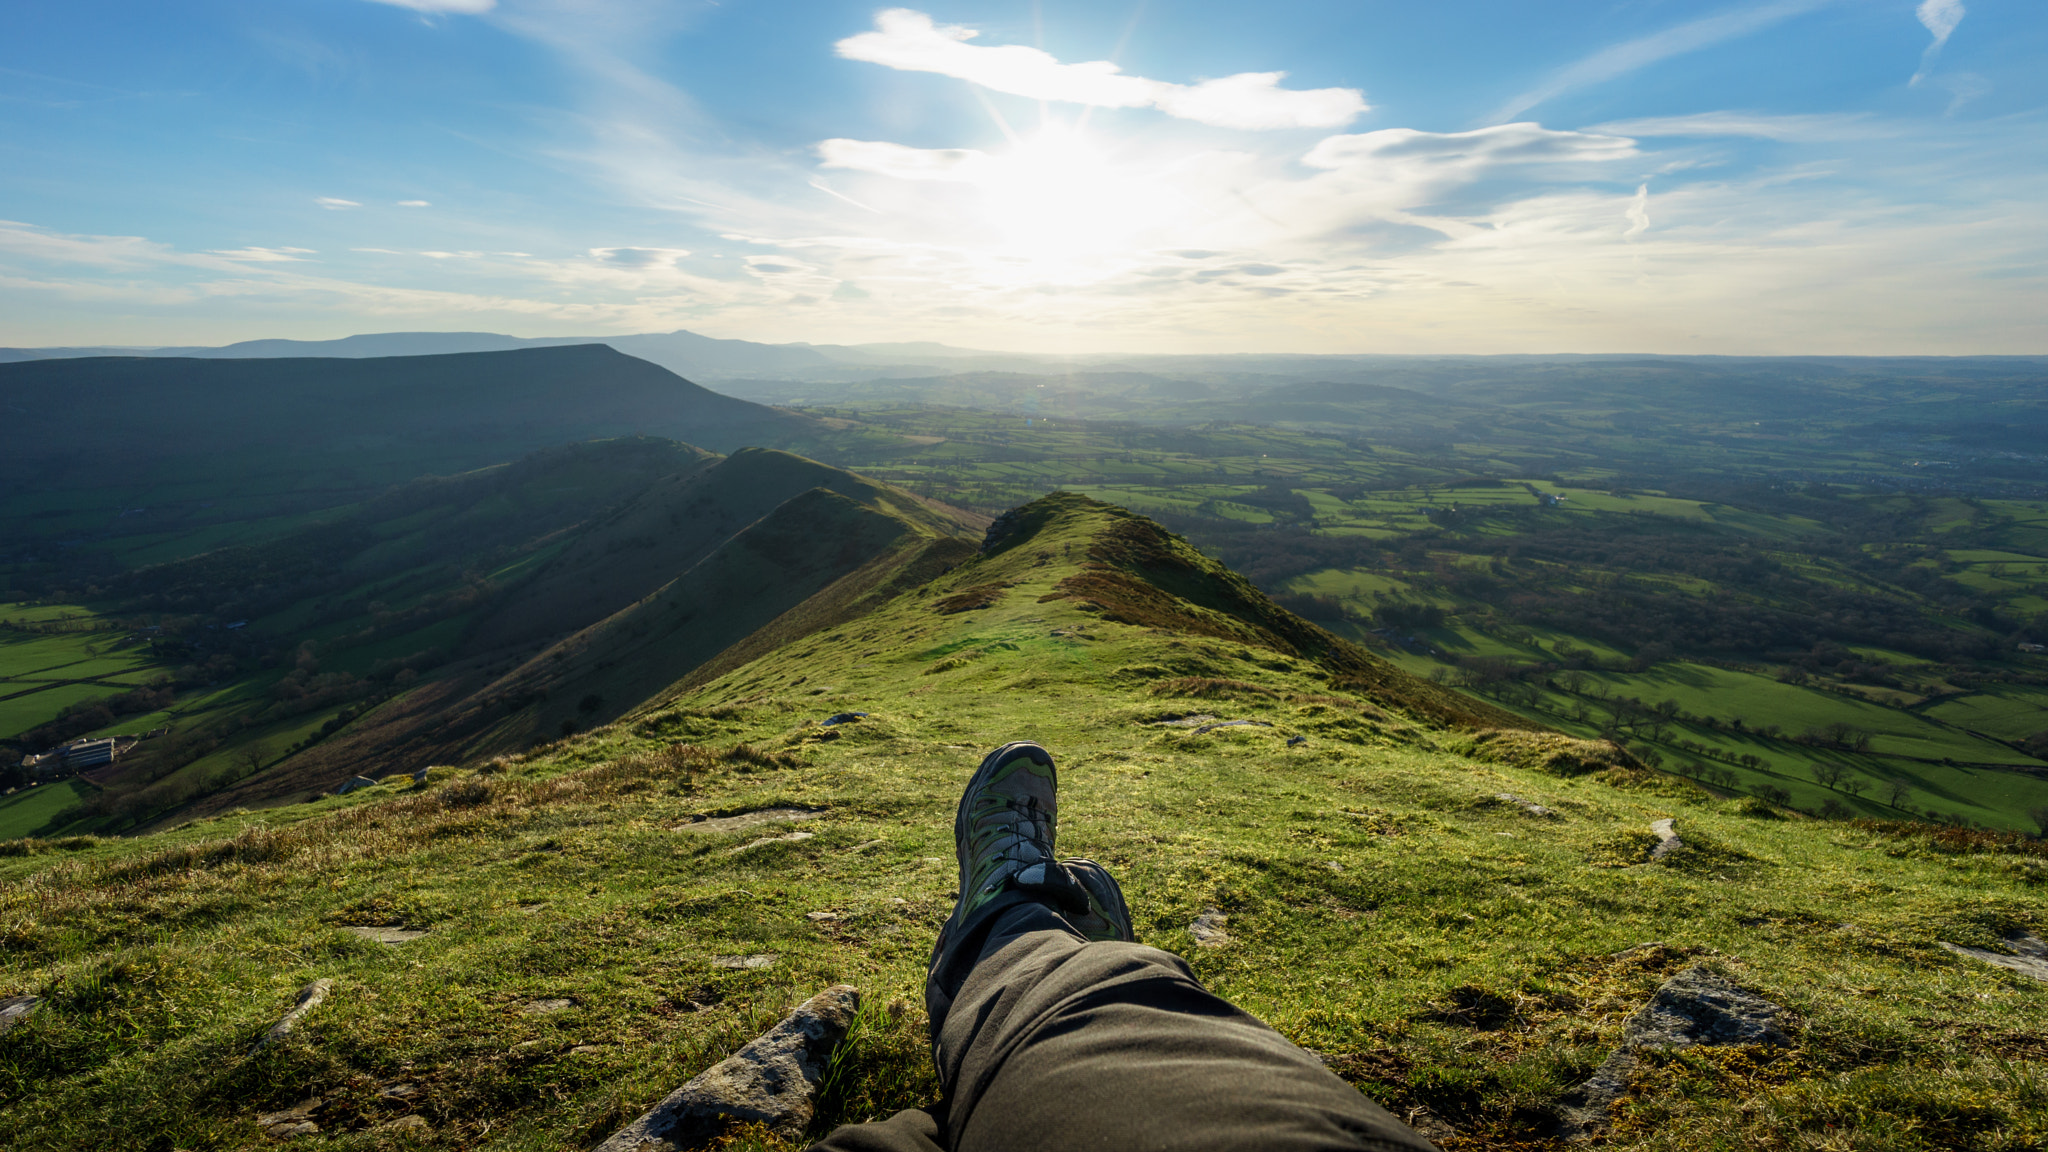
x,y
587,950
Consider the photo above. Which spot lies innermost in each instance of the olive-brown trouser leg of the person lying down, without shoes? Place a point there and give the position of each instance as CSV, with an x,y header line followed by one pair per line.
x,y
1058,1044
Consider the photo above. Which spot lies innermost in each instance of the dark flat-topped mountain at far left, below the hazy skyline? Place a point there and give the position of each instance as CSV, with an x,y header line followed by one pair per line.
x,y
364,419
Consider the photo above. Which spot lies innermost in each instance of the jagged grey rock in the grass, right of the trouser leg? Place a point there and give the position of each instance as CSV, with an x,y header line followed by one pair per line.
x,y
1693,1010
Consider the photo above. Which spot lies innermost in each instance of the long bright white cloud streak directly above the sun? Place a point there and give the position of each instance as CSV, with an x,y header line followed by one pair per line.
x,y
910,42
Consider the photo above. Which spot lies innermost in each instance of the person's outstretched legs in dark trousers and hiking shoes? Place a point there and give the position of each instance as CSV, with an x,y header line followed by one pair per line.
x,y
1056,1038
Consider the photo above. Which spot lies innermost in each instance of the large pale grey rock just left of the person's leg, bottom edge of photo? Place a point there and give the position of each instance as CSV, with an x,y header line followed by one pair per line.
x,y
771,1081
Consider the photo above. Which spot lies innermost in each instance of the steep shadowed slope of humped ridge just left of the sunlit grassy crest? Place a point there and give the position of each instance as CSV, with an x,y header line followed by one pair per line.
x,y
628,606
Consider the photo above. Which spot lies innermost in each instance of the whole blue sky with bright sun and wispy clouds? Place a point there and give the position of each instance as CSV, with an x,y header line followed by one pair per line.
x,y
1164,175
